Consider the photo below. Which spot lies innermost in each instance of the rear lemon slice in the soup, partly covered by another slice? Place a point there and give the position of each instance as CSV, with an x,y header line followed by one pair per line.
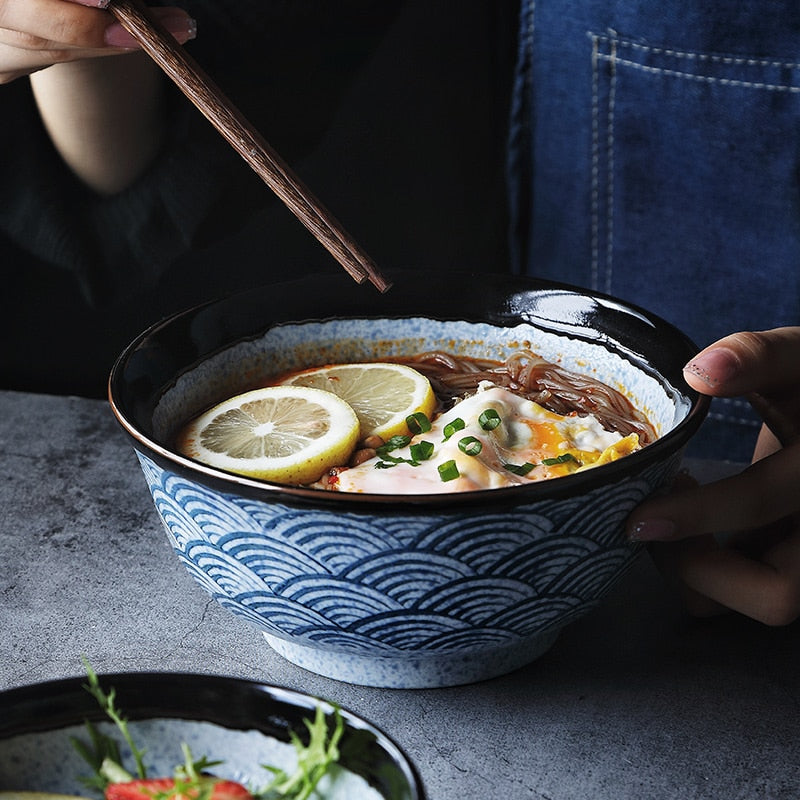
x,y
381,394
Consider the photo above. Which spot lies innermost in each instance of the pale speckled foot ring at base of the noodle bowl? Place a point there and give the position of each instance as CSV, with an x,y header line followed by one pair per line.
x,y
410,671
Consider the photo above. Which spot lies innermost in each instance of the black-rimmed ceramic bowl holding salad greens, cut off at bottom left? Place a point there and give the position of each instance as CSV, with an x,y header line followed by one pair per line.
x,y
243,724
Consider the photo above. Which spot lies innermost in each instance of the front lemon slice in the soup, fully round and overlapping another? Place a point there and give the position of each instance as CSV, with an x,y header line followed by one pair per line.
x,y
286,434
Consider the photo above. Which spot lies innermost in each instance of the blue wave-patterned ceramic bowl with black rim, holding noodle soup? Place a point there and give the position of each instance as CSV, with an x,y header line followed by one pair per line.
x,y
387,590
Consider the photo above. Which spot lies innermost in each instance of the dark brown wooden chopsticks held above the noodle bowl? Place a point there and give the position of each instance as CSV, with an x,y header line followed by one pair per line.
x,y
245,139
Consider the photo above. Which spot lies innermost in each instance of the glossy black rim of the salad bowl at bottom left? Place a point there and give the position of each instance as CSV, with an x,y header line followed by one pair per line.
x,y
232,703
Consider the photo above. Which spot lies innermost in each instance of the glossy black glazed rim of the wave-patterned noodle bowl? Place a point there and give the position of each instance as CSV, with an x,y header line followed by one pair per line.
x,y
153,361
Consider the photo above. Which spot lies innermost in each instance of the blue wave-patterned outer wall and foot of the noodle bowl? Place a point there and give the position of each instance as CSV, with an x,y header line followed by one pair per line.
x,y
390,606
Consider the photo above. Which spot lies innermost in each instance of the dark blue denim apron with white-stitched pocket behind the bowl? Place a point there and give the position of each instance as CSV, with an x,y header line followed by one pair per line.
x,y
654,153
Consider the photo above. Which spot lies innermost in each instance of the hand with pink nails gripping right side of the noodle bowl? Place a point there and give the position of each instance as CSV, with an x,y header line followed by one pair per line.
x,y
757,571
